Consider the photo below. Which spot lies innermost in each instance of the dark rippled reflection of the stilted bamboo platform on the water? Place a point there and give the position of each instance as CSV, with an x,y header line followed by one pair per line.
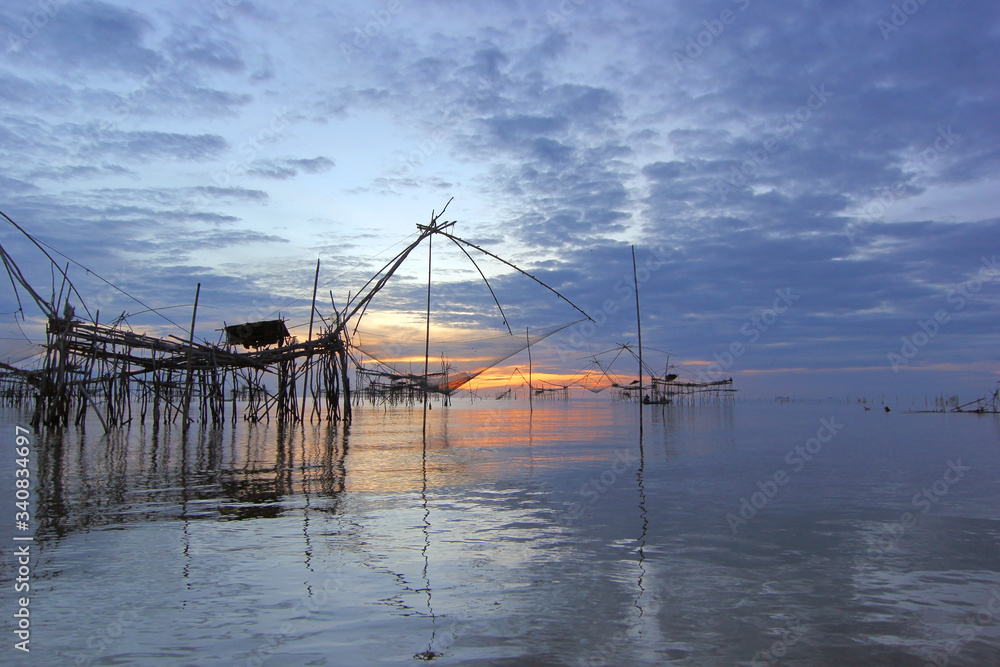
x,y
152,474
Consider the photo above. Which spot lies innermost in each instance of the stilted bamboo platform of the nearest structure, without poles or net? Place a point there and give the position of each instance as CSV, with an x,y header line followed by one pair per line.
x,y
115,371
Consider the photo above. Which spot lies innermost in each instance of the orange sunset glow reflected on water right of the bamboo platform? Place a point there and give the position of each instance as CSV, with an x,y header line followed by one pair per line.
x,y
474,442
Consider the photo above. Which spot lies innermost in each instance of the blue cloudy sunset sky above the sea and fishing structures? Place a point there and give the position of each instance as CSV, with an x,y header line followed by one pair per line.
x,y
810,188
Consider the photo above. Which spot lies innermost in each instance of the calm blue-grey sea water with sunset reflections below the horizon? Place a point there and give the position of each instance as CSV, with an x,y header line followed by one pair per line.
x,y
755,534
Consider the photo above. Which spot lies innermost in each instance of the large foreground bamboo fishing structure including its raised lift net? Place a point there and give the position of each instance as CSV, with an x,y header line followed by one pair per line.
x,y
255,369
